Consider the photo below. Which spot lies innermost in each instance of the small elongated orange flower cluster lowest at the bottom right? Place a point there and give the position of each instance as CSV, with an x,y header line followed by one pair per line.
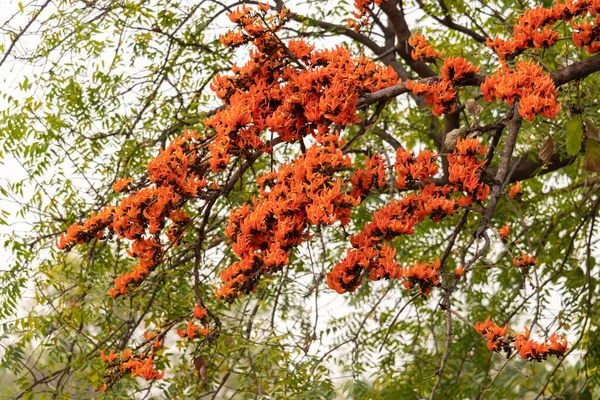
x,y
498,340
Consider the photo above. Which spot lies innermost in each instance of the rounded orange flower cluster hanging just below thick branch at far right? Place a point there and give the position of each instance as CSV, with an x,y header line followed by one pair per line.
x,y
527,83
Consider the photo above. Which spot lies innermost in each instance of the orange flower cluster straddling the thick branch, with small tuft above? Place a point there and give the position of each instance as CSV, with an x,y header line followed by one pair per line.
x,y
441,94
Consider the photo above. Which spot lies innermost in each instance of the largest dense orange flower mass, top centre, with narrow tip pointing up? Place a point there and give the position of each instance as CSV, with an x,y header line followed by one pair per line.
x,y
292,90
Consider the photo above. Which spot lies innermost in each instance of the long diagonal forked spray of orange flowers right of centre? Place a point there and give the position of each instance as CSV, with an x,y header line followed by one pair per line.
x,y
369,254
